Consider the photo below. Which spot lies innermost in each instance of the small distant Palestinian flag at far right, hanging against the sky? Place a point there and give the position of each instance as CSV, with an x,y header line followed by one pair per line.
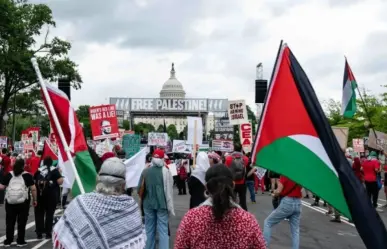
x,y
348,101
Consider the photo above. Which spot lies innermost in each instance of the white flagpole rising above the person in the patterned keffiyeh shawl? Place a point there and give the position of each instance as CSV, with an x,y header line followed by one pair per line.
x,y
57,124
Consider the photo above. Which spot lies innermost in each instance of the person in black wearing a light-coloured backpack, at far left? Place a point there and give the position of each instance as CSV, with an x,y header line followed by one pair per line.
x,y
17,200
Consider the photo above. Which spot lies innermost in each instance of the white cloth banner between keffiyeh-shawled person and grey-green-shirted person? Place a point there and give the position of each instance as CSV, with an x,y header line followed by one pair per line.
x,y
134,167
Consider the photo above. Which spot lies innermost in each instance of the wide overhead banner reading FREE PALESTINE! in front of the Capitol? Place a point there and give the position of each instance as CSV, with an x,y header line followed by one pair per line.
x,y
170,105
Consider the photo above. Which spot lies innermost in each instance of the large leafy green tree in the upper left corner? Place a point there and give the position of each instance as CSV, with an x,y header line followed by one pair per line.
x,y
21,24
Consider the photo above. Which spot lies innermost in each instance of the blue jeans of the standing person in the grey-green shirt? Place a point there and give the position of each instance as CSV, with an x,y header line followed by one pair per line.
x,y
159,217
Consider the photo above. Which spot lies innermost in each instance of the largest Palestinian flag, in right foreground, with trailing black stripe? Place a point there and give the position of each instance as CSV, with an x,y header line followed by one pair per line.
x,y
295,140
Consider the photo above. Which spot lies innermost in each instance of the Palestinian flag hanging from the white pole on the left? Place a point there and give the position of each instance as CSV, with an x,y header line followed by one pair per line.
x,y
73,133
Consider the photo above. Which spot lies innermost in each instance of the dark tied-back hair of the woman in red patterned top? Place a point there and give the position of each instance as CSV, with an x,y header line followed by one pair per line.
x,y
220,186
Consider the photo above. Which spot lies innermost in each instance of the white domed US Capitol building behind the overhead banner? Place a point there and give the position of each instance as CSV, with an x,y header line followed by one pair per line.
x,y
172,88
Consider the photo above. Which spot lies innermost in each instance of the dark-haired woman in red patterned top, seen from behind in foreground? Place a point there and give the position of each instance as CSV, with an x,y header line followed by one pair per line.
x,y
219,222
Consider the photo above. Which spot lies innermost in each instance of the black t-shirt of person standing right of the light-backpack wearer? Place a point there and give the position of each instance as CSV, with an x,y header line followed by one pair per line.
x,y
47,185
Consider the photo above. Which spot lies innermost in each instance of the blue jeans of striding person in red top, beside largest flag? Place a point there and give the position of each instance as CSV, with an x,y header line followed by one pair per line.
x,y
289,208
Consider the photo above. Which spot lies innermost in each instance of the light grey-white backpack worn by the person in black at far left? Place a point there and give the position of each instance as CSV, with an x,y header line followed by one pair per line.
x,y
17,191
